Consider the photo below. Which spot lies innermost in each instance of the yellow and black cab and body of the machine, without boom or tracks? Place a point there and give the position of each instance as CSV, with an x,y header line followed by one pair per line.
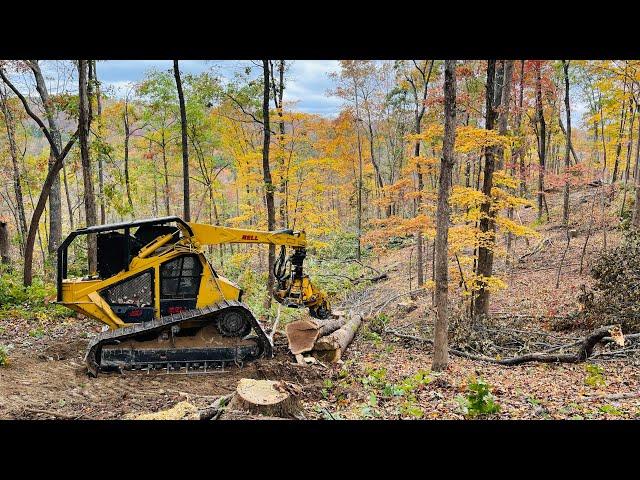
x,y
135,283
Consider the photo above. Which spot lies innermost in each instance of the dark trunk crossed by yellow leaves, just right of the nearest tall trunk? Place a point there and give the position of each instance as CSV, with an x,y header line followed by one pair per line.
x,y
487,224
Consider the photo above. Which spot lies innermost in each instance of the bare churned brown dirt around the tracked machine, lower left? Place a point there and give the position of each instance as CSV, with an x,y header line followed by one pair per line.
x,y
47,378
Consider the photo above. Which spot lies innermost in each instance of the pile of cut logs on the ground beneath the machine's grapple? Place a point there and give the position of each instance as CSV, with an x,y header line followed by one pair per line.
x,y
325,339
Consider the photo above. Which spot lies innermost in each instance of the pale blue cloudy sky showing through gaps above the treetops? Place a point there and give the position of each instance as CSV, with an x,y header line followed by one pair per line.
x,y
308,81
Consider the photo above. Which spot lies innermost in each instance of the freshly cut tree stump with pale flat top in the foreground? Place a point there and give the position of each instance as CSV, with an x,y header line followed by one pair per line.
x,y
266,397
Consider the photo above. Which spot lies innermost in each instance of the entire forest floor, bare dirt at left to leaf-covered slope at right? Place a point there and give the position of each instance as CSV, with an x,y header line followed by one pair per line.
x,y
381,375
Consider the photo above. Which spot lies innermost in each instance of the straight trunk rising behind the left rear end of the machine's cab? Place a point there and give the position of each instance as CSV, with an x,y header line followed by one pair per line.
x,y
84,121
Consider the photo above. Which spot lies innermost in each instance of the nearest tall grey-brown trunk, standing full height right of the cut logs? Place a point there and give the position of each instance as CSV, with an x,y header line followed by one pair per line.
x,y
441,347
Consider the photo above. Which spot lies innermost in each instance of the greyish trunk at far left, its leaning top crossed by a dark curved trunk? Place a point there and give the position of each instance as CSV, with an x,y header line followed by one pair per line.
x,y
55,210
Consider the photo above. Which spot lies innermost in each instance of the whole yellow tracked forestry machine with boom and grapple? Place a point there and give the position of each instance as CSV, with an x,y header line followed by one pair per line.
x,y
166,306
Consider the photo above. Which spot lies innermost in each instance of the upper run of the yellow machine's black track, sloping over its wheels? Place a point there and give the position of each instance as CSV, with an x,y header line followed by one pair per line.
x,y
113,336
